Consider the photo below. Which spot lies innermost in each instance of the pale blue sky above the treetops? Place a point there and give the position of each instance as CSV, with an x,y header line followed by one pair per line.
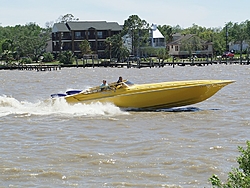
x,y
185,13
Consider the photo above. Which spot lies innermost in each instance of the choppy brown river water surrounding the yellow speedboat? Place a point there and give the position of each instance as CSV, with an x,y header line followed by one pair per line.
x,y
47,143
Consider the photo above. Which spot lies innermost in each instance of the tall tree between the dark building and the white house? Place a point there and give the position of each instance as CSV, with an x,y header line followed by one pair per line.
x,y
138,30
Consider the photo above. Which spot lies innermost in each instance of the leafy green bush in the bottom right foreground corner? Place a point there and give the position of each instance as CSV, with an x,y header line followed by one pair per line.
x,y
238,177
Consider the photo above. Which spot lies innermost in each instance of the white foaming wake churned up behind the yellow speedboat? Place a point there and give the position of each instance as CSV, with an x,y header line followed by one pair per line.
x,y
58,106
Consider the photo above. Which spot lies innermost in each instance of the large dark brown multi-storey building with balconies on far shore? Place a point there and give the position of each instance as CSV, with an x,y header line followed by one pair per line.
x,y
68,36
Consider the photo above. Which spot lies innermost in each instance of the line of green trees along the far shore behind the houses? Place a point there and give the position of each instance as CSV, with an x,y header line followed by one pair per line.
x,y
27,43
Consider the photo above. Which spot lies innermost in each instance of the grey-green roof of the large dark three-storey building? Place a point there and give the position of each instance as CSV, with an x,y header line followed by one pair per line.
x,y
85,25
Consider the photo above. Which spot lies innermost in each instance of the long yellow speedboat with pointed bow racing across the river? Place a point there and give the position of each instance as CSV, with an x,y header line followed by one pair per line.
x,y
149,96
